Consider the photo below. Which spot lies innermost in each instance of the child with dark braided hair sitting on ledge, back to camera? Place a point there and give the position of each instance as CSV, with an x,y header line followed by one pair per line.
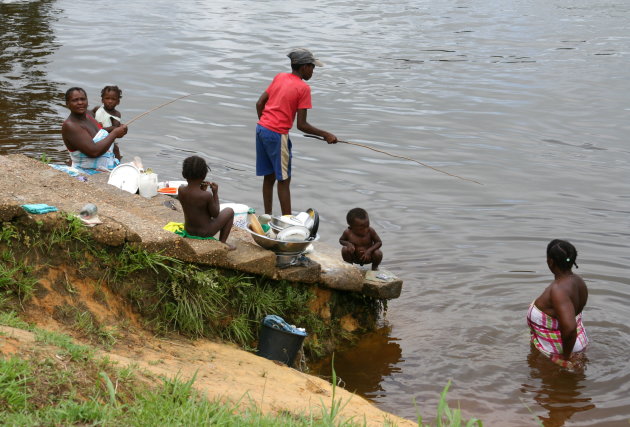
x,y
201,207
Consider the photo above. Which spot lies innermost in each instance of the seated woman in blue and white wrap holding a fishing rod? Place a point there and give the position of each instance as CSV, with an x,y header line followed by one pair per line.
x,y
90,146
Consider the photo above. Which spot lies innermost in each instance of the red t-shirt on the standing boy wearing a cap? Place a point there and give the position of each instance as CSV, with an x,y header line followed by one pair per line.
x,y
287,94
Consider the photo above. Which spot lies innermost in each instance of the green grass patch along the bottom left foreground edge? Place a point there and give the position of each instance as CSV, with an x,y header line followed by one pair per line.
x,y
34,393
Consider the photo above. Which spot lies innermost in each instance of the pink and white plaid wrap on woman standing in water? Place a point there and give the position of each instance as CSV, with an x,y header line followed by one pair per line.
x,y
546,336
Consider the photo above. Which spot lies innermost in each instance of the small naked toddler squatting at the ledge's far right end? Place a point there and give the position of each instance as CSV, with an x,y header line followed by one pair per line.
x,y
360,243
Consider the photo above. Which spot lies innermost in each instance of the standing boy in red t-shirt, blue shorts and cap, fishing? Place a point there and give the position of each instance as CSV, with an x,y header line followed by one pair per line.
x,y
287,95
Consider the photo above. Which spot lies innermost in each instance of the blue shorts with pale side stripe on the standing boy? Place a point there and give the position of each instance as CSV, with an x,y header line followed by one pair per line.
x,y
273,153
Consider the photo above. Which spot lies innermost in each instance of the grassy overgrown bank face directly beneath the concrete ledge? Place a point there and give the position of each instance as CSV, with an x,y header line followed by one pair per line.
x,y
170,295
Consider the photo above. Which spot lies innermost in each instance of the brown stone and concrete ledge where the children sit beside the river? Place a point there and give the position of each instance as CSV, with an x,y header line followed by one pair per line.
x,y
130,218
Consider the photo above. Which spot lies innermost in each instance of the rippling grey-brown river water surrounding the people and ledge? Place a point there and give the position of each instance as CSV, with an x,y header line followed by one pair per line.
x,y
530,98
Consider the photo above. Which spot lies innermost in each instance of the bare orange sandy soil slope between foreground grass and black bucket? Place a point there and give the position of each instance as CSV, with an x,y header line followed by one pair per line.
x,y
227,372
